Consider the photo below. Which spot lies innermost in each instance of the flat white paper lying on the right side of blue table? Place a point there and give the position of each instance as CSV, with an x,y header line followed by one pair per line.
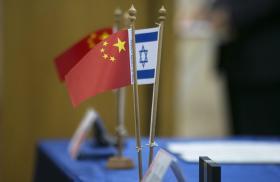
x,y
228,151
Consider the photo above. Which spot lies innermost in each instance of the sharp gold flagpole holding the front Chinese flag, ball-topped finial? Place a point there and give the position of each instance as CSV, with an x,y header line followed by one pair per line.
x,y
132,17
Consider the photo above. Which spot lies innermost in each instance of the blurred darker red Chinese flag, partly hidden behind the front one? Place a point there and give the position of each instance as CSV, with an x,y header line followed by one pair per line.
x,y
68,59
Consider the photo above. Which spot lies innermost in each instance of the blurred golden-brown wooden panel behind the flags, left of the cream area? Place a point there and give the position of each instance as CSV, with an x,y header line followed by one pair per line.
x,y
36,105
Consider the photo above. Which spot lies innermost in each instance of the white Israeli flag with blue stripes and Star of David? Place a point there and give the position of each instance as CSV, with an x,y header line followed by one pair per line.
x,y
146,54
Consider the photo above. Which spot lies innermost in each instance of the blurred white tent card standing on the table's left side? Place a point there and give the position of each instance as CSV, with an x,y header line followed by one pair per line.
x,y
81,132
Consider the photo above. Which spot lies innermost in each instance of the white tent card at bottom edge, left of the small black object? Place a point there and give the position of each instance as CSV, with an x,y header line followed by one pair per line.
x,y
158,167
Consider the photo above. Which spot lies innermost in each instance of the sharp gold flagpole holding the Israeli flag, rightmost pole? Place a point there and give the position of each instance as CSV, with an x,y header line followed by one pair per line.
x,y
152,144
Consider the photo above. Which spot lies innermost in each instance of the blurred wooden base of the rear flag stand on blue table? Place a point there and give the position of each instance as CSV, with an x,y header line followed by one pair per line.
x,y
117,162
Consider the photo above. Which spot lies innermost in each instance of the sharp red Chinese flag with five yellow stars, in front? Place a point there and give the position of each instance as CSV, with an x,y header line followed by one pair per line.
x,y
104,67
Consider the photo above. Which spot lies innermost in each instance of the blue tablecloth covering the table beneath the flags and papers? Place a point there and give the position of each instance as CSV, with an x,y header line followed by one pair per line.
x,y
54,164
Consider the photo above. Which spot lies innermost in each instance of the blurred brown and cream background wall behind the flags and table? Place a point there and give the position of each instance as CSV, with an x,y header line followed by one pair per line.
x,y
34,105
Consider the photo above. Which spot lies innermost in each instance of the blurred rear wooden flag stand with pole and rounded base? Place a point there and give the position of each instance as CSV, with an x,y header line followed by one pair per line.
x,y
119,161
